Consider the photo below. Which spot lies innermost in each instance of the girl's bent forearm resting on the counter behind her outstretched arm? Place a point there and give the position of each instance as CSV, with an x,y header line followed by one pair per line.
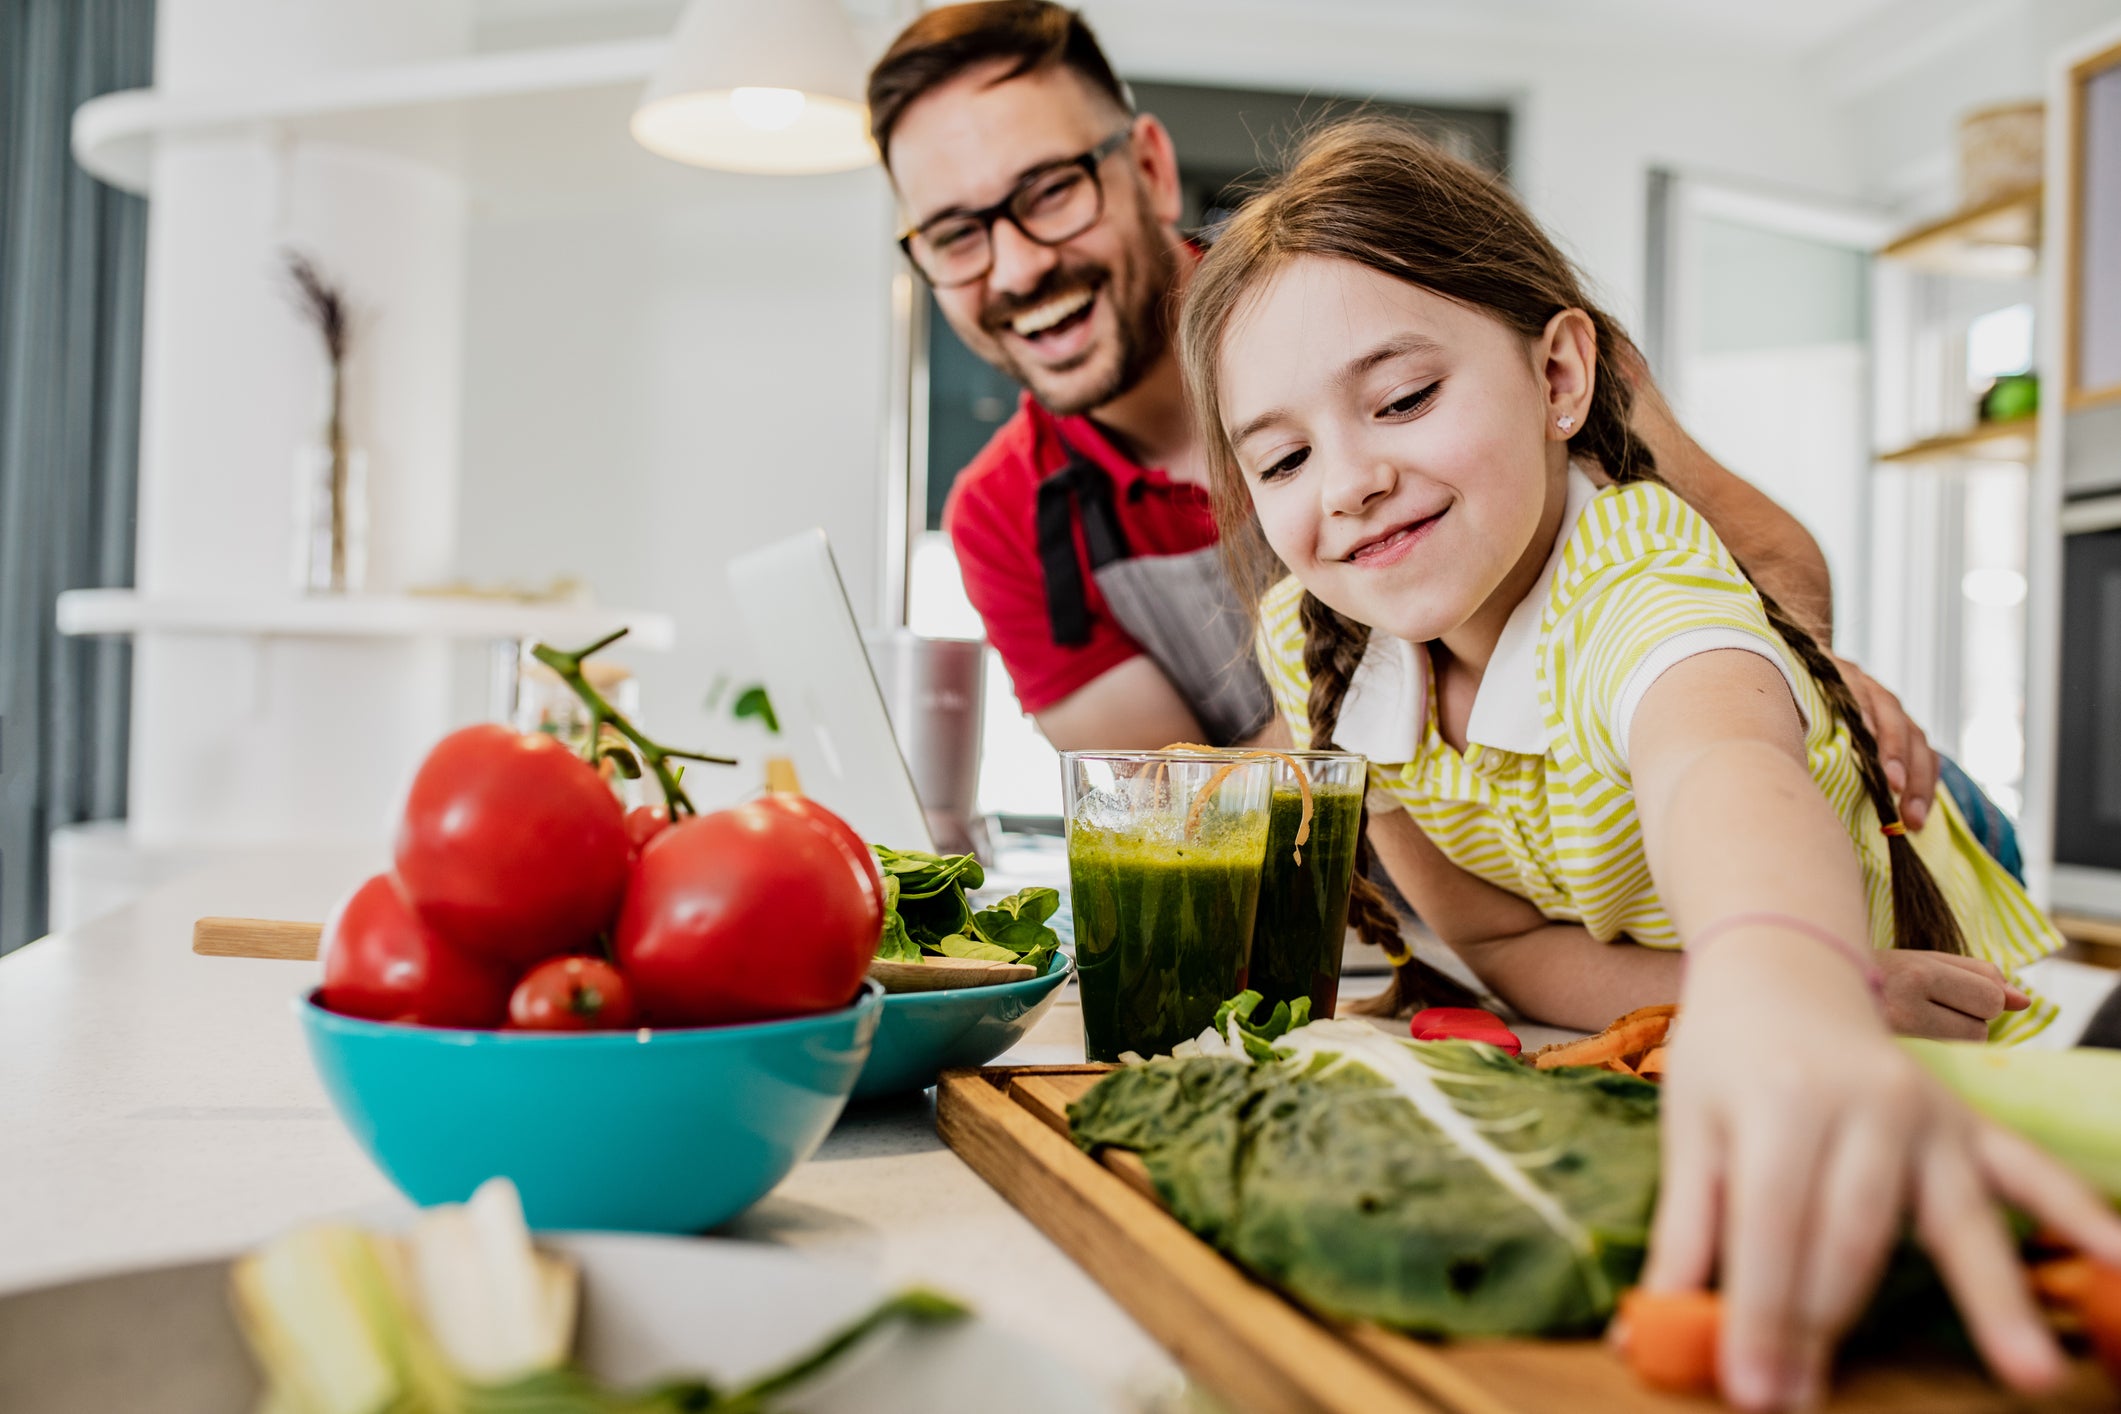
x,y
1549,972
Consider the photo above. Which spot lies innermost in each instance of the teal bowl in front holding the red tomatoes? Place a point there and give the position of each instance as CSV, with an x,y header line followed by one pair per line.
x,y
652,1131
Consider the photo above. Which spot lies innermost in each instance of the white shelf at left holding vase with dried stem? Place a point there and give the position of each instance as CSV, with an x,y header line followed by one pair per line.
x,y
353,616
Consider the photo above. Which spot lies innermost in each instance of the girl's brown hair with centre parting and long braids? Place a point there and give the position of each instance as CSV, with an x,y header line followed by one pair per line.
x,y
1378,194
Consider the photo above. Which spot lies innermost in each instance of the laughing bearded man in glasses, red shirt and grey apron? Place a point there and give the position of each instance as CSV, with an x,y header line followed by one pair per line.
x,y
1045,215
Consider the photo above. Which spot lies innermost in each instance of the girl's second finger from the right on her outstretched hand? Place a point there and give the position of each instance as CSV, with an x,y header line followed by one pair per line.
x,y
1978,1260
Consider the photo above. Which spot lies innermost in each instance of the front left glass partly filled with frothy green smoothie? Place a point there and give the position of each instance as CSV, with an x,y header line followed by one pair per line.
x,y
1163,858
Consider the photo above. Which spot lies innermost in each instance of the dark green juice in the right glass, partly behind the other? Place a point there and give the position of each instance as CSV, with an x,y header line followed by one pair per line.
x,y
1303,906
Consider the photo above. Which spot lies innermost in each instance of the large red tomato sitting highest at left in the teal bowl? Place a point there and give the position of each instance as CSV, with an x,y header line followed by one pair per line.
x,y
512,847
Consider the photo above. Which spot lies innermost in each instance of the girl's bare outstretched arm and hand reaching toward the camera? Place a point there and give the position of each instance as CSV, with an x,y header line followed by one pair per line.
x,y
1798,1135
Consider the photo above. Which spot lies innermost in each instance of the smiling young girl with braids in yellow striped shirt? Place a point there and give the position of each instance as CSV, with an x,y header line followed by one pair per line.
x,y
1594,726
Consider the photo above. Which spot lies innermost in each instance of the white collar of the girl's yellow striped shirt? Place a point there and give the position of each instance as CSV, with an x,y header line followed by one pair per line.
x,y
1386,709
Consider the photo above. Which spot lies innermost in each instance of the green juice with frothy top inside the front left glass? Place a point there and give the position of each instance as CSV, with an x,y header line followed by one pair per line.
x,y
1161,934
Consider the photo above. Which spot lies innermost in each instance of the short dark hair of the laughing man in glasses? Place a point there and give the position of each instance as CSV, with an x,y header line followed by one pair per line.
x,y
945,43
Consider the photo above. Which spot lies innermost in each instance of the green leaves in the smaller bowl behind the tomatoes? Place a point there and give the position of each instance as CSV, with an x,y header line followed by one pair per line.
x,y
928,913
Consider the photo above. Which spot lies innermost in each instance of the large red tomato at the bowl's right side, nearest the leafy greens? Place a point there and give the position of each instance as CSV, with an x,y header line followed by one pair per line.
x,y
750,915
